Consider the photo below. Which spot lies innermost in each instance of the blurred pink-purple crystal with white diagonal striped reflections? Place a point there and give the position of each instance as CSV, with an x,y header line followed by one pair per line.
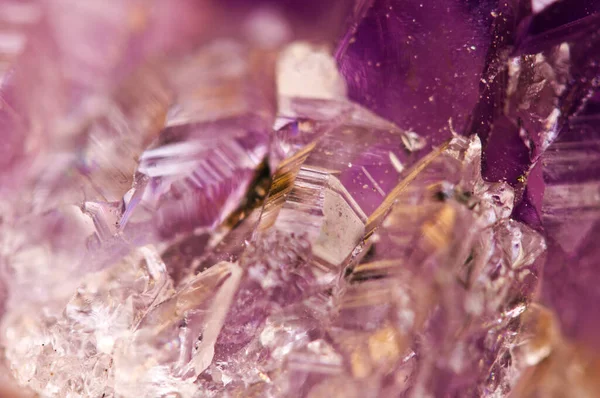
x,y
216,135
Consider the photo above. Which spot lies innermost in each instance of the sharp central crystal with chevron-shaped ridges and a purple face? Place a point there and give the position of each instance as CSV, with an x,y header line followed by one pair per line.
x,y
340,166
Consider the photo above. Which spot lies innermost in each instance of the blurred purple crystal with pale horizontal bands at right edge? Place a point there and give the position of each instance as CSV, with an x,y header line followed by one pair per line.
x,y
570,213
